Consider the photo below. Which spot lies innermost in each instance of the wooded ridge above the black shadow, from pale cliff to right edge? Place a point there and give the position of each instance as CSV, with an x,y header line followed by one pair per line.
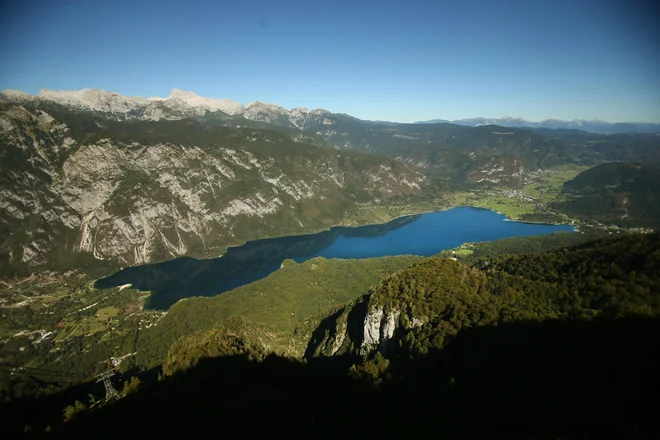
x,y
426,305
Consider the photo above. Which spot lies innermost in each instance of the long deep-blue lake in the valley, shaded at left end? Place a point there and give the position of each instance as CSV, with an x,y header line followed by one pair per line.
x,y
425,234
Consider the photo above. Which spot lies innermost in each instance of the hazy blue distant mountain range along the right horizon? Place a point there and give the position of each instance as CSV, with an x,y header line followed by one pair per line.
x,y
595,126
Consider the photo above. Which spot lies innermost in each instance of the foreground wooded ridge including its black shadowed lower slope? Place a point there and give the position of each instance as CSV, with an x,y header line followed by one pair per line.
x,y
566,340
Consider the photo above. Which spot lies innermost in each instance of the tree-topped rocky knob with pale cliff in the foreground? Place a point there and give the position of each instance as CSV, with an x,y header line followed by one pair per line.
x,y
404,308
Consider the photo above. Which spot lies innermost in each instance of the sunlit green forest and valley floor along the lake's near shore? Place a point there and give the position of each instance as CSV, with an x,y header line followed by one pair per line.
x,y
62,331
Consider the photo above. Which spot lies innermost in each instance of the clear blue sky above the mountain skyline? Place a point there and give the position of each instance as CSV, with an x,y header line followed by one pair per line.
x,y
401,61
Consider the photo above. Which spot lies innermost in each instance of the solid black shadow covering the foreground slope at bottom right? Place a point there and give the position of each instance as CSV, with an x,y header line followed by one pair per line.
x,y
521,380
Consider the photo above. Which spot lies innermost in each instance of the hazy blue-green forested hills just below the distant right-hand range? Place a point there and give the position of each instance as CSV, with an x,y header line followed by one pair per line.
x,y
454,152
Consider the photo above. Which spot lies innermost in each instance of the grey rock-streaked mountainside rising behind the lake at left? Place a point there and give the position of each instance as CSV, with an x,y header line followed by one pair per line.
x,y
168,195
